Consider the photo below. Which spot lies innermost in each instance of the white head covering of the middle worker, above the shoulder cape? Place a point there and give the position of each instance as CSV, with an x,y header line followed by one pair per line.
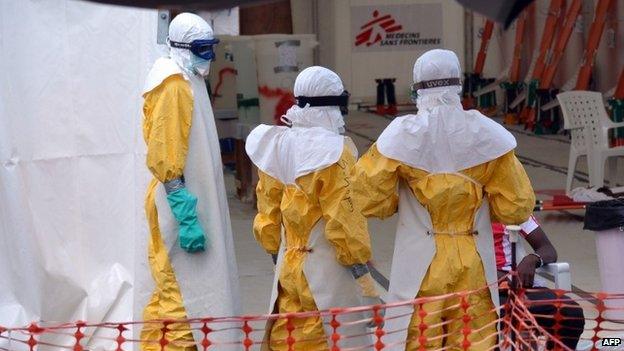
x,y
316,81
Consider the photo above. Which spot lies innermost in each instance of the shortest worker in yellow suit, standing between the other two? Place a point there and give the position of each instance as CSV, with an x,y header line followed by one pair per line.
x,y
306,217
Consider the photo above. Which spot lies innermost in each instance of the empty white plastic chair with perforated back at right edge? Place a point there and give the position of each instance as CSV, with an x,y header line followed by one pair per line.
x,y
586,112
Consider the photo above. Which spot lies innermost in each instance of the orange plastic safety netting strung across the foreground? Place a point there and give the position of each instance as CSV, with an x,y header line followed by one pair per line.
x,y
534,319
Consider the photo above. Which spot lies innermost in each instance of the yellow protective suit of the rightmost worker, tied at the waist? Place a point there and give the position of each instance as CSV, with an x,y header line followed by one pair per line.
x,y
452,202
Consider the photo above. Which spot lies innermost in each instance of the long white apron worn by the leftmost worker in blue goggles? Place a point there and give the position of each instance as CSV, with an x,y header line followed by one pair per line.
x,y
208,280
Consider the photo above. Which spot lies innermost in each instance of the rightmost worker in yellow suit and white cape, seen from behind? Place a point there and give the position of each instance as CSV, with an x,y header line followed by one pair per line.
x,y
445,171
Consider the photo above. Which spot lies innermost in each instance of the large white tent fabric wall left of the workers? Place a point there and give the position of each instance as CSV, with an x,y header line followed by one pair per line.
x,y
72,159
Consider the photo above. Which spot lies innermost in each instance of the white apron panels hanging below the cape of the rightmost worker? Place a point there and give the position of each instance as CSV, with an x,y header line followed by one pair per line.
x,y
414,250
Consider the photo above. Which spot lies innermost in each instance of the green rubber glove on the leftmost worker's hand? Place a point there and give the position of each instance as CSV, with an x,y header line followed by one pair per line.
x,y
183,205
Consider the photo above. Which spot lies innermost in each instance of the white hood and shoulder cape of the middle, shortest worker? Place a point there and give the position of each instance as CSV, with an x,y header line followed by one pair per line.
x,y
312,143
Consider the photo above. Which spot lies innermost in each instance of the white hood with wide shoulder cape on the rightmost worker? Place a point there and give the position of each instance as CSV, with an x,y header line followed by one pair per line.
x,y
442,137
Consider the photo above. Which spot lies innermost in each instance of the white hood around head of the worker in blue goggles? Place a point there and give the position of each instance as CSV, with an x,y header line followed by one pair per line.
x,y
185,28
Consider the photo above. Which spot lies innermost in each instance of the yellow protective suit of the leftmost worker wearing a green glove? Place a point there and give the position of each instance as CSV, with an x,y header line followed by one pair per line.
x,y
167,145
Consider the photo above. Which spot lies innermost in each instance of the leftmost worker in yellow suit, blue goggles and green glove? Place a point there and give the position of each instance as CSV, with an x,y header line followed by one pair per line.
x,y
190,247
